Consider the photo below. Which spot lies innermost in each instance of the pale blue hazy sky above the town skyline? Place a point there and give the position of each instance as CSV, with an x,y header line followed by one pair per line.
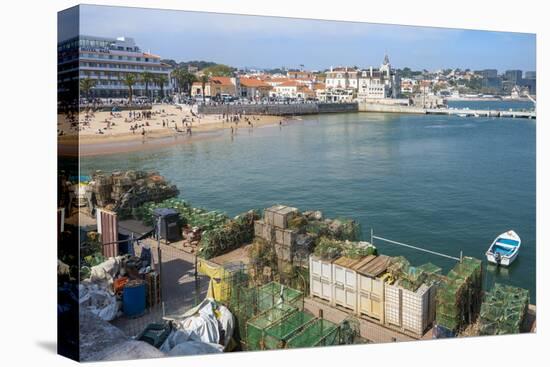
x,y
270,42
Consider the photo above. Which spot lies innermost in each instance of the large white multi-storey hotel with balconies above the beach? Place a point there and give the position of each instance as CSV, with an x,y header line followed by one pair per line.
x,y
108,59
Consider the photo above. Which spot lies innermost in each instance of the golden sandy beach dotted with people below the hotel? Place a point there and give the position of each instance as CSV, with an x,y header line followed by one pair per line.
x,y
107,133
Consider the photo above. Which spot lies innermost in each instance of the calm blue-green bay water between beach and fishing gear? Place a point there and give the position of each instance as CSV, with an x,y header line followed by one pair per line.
x,y
445,183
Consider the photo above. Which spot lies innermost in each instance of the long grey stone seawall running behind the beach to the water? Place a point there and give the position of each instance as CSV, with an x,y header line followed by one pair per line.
x,y
278,109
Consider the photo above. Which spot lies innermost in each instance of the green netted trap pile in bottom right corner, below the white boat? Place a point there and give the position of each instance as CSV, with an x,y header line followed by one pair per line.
x,y
503,310
